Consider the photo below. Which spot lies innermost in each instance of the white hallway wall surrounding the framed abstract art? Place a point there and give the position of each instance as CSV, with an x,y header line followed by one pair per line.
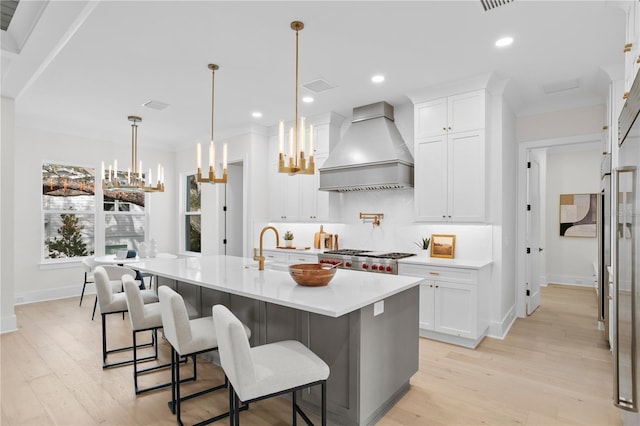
x,y
569,259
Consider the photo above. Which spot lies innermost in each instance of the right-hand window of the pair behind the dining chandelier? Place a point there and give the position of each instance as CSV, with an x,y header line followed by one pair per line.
x,y
124,219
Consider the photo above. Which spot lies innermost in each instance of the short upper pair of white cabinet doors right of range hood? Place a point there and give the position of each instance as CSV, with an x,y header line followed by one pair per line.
x,y
457,113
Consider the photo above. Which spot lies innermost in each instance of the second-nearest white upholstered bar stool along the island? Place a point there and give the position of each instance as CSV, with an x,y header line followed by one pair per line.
x,y
187,338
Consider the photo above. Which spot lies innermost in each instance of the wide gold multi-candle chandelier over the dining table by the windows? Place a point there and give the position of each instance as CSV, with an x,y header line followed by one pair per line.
x,y
134,180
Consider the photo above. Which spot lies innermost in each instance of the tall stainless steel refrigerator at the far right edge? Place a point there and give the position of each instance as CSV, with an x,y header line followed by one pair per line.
x,y
626,301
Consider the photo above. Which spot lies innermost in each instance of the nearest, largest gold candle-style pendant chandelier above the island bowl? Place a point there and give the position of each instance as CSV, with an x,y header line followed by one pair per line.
x,y
297,163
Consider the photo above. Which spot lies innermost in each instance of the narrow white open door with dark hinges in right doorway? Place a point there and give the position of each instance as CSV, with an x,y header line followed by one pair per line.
x,y
533,238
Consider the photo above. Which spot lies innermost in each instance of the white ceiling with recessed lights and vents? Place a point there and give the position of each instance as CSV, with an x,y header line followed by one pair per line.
x,y
81,67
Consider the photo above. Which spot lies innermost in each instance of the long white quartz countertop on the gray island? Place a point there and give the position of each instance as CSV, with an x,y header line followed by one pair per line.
x,y
347,292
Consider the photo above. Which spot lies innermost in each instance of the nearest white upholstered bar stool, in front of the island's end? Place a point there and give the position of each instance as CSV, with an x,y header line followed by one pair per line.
x,y
268,370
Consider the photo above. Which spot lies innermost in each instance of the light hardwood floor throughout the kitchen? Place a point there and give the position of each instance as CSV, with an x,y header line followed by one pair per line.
x,y
552,369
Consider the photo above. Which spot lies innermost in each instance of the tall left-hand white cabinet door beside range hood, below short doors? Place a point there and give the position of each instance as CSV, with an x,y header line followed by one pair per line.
x,y
430,183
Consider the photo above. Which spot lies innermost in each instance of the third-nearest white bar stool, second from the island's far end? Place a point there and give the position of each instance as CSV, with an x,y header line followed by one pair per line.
x,y
143,317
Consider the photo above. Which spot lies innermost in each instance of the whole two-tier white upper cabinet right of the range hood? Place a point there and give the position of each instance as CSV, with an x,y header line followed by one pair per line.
x,y
450,170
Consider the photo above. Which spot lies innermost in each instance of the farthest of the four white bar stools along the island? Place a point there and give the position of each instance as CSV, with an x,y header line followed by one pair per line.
x,y
111,303
